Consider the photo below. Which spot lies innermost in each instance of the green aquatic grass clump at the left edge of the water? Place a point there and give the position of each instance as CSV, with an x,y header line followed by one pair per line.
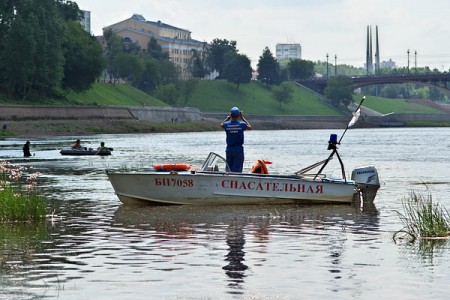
x,y
19,197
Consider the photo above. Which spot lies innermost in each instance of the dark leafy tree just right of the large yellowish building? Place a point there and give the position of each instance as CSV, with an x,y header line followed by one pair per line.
x,y
217,51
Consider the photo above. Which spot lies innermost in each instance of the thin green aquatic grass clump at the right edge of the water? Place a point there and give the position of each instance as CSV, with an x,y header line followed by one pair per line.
x,y
424,219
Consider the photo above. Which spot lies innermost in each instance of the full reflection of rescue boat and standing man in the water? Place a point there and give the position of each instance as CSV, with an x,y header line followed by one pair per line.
x,y
261,225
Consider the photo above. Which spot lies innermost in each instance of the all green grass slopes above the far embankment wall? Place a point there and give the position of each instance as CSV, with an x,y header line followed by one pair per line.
x,y
220,96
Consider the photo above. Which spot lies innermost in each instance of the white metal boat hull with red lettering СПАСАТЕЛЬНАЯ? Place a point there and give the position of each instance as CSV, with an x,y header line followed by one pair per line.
x,y
204,188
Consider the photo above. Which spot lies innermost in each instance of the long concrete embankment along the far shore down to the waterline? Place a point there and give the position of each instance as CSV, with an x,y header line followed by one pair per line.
x,y
27,120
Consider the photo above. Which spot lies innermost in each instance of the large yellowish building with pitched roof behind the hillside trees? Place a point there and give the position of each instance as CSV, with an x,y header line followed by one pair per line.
x,y
173,40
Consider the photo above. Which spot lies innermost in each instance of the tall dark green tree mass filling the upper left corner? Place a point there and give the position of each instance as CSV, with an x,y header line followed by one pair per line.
x,y
44,50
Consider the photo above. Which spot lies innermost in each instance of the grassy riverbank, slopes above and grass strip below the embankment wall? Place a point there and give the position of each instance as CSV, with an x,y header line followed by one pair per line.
x,y
253,98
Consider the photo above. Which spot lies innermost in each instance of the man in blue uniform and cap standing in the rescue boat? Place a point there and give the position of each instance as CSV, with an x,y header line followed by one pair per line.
x,y
235,124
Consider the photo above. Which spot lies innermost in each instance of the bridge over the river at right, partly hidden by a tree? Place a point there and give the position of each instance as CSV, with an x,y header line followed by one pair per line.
x,y
439,80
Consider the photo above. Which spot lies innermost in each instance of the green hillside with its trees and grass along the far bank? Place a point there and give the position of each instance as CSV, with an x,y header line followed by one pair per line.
x,y
46,57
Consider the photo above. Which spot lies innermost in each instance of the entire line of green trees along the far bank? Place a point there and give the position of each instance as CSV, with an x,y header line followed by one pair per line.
x,y
45,53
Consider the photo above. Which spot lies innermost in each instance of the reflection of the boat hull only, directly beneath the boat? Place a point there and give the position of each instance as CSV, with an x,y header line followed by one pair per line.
x,y
174,220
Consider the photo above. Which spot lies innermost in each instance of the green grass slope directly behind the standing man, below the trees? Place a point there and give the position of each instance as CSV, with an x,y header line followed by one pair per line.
x,y
254,98
